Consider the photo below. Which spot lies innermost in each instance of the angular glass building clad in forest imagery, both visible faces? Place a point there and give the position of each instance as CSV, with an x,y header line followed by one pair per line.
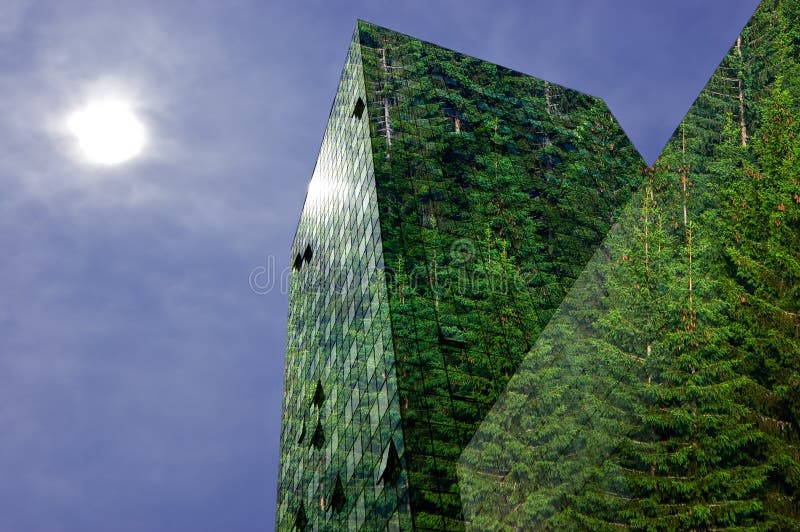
x,y
453,204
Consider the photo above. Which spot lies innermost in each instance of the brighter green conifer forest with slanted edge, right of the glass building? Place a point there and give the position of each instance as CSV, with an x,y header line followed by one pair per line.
x,y
664,394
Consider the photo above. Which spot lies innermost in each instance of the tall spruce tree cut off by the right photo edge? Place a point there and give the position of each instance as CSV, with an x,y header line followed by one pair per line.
x,y
764,258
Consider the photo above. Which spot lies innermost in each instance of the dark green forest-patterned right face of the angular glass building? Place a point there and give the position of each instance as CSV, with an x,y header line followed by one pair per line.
x,y
494,189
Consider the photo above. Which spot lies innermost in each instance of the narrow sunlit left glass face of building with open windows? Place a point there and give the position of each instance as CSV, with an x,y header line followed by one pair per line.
x,y
341,439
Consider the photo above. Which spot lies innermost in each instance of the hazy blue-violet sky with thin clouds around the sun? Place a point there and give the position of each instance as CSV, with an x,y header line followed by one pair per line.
x,y
141,337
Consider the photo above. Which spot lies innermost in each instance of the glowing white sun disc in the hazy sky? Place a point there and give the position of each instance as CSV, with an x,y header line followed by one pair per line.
x,y
108,131
